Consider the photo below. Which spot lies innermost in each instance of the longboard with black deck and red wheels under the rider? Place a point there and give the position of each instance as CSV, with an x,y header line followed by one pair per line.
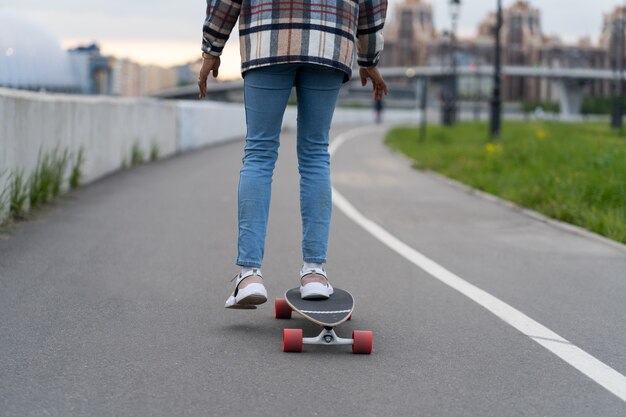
x,y
327,313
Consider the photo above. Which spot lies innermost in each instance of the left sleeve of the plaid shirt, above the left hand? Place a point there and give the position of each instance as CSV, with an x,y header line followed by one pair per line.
x,y
221,16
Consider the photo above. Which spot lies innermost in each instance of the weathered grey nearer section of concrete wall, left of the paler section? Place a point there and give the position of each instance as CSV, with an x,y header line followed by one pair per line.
x,y
106,128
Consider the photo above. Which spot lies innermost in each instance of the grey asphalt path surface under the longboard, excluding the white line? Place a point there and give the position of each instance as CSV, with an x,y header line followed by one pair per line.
x,y
111,302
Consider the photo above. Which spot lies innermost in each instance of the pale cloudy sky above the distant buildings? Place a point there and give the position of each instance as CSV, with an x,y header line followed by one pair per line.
x,y
169,32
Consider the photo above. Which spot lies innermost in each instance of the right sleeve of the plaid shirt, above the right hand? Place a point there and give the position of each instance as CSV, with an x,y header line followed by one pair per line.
x,y
372,14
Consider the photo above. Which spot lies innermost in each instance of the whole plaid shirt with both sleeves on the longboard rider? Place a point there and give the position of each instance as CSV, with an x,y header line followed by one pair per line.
x,y
316,31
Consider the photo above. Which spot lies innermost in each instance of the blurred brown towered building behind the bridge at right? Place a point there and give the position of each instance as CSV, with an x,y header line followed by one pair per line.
x,y
412,39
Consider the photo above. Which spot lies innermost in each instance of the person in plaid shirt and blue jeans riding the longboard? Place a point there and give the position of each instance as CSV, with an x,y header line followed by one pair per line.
x,y
284,43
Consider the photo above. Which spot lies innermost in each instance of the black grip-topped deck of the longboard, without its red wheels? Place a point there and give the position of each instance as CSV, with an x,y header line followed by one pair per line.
x,y
327,313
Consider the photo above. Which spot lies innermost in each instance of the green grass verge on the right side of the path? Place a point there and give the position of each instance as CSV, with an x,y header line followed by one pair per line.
x,y
575,173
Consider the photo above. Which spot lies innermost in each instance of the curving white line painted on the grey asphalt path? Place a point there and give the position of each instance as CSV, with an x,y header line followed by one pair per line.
x,y
598,371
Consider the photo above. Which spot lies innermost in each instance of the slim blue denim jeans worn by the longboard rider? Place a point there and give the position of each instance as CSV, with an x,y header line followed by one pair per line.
x,y
266,92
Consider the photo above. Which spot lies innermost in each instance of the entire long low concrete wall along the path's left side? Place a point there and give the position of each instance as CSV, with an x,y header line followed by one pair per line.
x,y
107,128
